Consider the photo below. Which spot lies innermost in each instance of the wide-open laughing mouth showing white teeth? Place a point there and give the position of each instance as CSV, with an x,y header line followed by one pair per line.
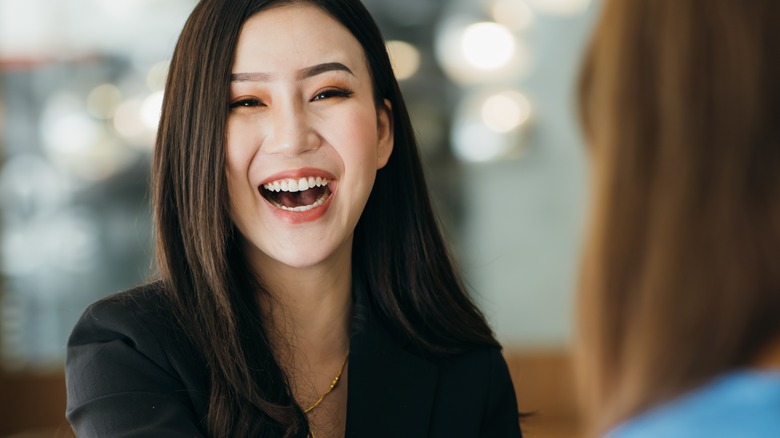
x,y
299,195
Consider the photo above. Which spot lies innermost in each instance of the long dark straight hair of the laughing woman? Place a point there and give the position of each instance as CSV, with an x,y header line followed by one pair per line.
x,y
398,247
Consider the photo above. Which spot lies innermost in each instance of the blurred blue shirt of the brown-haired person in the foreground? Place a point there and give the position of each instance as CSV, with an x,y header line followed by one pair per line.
x,y
738,404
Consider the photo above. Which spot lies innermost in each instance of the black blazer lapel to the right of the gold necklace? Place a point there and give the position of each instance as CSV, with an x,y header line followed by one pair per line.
x,y
390,390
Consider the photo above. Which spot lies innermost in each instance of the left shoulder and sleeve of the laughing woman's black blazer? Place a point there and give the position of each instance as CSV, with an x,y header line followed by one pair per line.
x,y
128,360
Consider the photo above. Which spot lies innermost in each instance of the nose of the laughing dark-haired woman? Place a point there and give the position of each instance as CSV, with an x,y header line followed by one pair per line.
x,y
291,133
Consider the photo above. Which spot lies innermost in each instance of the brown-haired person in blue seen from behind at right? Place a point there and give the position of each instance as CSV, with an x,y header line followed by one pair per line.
x,y
680,294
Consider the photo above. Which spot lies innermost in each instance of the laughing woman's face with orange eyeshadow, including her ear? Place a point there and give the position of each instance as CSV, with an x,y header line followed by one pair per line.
x,y
304,138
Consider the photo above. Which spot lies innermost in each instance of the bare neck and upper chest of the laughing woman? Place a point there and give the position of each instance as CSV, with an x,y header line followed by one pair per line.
x,y
307,314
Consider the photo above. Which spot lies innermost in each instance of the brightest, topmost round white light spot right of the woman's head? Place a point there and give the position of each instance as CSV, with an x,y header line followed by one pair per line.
x,y
488,46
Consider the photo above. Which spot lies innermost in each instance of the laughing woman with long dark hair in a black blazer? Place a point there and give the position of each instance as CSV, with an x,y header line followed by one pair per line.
x,y
305,289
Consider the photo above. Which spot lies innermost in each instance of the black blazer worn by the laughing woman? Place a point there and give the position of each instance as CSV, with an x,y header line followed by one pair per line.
x,y
130,372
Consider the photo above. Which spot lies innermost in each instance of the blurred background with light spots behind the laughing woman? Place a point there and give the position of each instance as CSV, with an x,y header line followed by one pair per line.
x,y
490,86
